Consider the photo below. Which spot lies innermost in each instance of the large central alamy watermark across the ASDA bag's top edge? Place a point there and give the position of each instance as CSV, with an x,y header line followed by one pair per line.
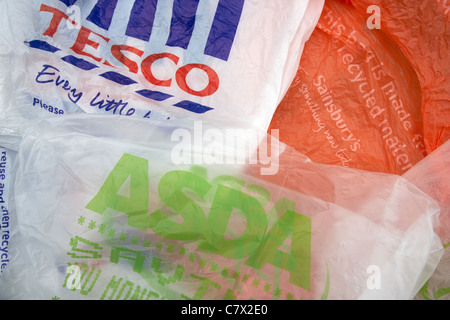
x,y
233,146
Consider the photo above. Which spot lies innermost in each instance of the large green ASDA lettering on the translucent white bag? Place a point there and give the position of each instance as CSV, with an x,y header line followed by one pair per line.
x,y
257,243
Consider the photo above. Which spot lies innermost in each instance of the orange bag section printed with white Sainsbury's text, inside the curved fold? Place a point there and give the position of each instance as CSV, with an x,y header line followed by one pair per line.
x,y
356,100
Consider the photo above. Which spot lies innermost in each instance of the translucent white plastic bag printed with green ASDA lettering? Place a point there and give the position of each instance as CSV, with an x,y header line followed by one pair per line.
x,y
111,207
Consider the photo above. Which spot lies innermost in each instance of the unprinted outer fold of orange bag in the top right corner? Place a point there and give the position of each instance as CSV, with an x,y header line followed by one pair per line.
x,y
420,29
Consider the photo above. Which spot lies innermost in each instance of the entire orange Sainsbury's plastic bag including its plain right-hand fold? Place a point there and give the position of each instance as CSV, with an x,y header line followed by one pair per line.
x,y
360,99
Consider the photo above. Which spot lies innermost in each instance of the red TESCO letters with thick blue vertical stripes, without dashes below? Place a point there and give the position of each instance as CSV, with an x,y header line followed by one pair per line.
x,y
140,26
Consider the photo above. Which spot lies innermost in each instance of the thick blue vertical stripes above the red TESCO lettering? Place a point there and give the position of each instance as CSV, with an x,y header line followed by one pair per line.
x,y
221,35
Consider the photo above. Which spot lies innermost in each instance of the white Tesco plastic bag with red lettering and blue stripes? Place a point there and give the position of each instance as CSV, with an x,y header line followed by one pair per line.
x,y
178,59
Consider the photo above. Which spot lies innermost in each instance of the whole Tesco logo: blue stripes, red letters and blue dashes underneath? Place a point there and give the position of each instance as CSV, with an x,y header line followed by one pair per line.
x,y
87,28
